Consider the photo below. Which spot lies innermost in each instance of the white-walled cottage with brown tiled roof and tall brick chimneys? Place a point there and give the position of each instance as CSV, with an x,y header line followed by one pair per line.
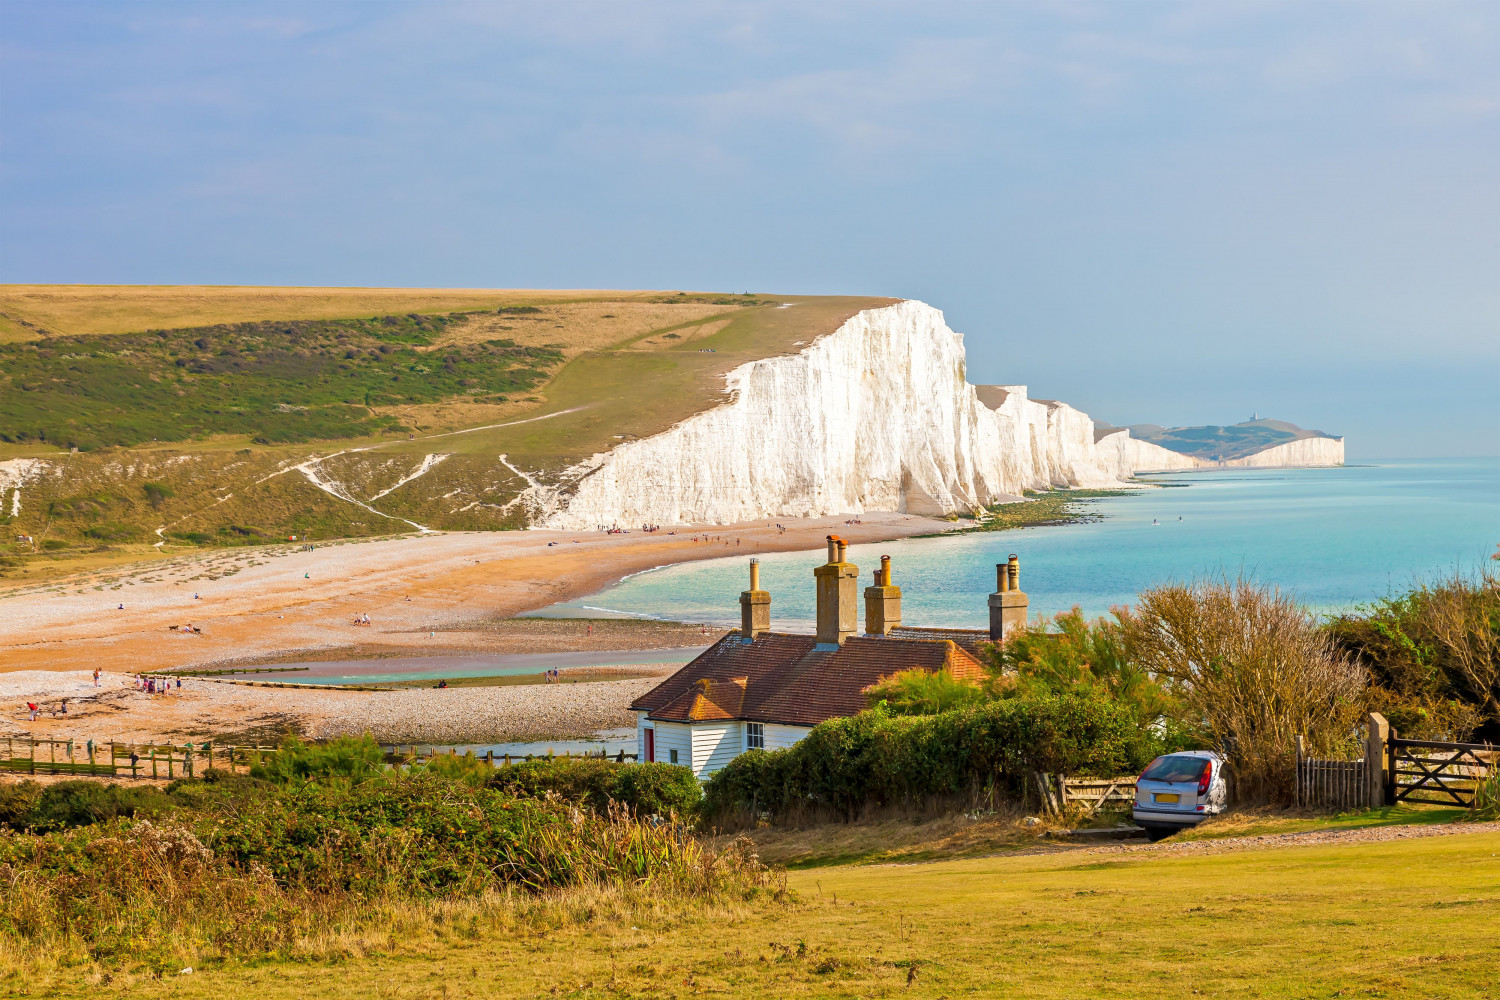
x,y
760,689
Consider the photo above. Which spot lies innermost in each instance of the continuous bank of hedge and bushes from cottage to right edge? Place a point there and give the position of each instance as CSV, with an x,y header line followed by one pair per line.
x,y
1223,665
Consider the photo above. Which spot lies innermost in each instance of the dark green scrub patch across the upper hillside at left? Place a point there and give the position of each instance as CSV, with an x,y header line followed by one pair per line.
x,y
274,383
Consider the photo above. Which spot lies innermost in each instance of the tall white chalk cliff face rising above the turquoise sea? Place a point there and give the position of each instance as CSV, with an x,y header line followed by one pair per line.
x,y
877,416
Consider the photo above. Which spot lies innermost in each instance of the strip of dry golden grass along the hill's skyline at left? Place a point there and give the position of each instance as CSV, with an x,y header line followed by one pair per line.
x,y
103,310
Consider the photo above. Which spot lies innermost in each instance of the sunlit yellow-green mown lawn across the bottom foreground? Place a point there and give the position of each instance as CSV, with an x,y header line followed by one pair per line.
x,y
1412,918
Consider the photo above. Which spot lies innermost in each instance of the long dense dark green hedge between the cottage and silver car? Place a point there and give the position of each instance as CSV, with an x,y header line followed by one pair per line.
x,y
878,759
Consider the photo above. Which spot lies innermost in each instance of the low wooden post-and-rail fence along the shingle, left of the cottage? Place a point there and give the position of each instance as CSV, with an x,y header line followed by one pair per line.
x,y
170,761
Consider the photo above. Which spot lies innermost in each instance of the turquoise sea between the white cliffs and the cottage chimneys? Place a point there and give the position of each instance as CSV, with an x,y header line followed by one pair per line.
x,y
1334,537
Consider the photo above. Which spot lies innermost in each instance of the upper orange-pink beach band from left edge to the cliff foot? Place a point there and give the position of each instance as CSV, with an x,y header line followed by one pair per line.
x,y
434,594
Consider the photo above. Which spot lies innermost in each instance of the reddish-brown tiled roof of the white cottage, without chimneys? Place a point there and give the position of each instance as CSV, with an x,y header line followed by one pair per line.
x,y
782,678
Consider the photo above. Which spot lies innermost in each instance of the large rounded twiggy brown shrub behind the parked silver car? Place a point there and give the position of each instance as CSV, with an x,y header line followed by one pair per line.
x,y
1253,672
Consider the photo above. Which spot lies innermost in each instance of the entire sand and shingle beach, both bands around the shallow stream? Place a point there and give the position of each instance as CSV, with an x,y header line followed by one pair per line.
x,y
433,594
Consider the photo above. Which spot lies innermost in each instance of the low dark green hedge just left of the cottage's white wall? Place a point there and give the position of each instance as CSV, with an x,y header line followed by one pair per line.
x,y
650,789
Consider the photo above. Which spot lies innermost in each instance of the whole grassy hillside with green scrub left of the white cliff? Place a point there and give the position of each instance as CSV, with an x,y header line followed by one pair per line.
x,y
182,413
